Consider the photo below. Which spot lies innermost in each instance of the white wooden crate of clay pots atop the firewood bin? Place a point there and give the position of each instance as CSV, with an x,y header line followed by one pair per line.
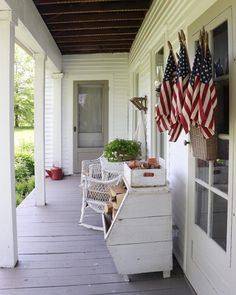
x,y
136,178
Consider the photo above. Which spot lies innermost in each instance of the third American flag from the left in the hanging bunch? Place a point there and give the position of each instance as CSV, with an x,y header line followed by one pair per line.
x,y
190,108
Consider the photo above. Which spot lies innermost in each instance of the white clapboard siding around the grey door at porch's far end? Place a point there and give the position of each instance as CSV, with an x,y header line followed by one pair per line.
x,y
111,67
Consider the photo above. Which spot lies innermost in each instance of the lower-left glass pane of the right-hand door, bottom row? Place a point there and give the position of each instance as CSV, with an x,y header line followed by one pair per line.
x,y
201,213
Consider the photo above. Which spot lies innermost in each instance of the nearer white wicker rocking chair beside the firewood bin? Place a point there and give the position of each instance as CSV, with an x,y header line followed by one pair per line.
x,y
96,194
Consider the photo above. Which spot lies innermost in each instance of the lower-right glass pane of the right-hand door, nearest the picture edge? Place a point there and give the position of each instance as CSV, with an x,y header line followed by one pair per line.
x,y
219,220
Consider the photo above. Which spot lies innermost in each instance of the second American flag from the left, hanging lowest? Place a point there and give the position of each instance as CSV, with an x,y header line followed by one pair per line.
x,y
180,89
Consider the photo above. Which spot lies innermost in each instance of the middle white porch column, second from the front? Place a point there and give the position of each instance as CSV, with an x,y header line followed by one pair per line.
x,y
39,124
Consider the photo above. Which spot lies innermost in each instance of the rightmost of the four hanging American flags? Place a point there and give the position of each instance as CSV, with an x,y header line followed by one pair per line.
x,y
207,98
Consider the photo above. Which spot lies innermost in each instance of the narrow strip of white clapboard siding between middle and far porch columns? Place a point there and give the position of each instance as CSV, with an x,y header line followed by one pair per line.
x,y
48,121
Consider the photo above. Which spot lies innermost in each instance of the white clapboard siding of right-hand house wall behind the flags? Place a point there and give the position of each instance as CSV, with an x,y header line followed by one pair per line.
x,y
162,23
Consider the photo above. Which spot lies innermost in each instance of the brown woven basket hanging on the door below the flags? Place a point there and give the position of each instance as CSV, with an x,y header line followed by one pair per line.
x,y
204,149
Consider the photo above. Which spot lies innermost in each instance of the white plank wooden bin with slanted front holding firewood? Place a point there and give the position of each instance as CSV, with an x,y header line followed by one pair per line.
x,y
140,236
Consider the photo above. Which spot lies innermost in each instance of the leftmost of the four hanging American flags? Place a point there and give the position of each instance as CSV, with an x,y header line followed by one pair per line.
x,y
163,107
